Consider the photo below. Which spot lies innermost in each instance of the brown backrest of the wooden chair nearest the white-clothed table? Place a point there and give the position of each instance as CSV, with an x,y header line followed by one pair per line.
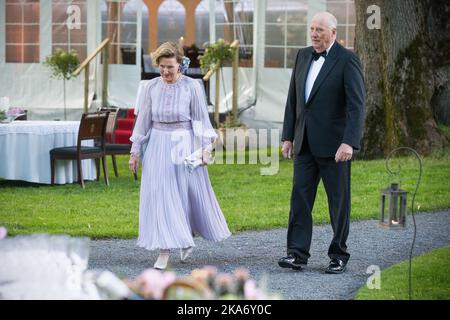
x,y
93,126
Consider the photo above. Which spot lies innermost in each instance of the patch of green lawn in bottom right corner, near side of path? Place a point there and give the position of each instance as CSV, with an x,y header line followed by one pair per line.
x,y
430,279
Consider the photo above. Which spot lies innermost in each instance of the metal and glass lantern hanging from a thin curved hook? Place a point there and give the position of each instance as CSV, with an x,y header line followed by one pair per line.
x,y
396,215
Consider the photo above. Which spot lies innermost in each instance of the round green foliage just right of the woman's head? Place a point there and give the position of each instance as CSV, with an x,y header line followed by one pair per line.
x,y
219,52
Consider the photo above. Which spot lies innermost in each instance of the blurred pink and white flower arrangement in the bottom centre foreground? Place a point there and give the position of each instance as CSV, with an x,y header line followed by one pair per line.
x,y
203,284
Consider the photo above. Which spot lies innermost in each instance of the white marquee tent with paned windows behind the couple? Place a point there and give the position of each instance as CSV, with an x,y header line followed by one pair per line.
x,y
270,30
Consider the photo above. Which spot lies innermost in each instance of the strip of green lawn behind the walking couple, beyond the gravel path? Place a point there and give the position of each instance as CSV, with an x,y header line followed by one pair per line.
x,y
249,200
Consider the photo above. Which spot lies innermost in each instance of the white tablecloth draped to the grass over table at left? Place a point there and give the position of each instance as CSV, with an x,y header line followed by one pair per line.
x,y
25,147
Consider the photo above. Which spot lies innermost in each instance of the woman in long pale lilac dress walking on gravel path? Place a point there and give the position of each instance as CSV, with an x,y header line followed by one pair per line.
x,y
173,123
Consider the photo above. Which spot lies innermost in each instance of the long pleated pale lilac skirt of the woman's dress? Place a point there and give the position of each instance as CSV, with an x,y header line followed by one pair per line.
x,y
176,204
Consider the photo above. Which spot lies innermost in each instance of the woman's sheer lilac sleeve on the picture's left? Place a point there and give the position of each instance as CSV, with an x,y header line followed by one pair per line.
x,y
143,126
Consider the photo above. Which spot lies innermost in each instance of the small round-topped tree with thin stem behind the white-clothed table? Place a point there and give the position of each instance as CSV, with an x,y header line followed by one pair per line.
x,y
62,64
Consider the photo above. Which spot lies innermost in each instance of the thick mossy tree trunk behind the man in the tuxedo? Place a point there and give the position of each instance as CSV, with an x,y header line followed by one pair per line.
x,y
400,75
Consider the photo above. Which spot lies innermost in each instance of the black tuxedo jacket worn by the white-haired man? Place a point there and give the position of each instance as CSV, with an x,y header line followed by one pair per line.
x,y
334,112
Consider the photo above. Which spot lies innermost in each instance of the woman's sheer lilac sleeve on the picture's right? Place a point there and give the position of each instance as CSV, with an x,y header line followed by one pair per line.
x,y
201,125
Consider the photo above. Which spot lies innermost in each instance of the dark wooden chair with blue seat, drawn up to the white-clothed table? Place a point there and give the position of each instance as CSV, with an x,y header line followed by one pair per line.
x,y
92,126
